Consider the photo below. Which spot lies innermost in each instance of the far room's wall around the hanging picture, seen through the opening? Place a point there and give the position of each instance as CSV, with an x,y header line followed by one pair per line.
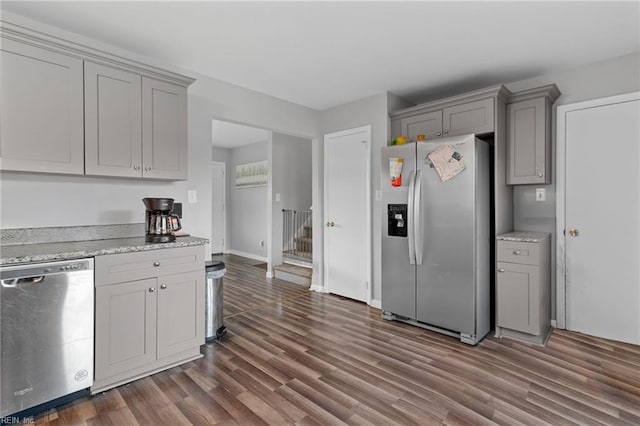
x,y
247,208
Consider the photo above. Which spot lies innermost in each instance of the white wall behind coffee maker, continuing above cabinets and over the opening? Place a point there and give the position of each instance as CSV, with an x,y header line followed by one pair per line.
x,y
30,200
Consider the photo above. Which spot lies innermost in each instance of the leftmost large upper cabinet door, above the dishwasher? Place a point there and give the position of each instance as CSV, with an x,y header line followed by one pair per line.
x,y
42,110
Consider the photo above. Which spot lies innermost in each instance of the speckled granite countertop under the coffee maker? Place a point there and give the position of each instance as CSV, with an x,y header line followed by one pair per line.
x,y
52,251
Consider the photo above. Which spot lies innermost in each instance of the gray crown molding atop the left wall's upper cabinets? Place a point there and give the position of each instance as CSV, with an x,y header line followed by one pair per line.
x,y
26,35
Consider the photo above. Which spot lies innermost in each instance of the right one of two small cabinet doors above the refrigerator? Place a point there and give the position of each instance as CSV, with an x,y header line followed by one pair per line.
x,y
473,117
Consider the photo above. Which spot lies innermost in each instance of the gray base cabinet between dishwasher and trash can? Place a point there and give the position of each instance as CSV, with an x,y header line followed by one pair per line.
x,y
149,313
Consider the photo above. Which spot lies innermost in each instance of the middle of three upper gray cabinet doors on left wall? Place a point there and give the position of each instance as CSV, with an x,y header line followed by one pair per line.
x,y
113,122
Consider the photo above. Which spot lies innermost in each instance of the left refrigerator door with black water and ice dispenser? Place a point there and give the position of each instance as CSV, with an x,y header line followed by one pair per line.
x,y
398,274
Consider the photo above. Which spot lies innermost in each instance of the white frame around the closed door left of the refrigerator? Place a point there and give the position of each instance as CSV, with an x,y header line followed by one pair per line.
x,y
368,207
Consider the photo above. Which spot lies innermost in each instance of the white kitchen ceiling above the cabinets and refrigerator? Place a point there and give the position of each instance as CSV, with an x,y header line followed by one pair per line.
x,y
322,54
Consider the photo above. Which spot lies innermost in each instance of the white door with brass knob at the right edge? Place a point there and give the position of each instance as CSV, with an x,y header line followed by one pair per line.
x,y
602,211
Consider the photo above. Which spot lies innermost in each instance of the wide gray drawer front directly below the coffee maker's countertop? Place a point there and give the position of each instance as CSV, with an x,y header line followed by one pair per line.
x,y
116,268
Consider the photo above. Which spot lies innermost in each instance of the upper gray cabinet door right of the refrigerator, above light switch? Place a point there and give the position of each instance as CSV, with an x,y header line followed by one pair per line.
x,y
528,143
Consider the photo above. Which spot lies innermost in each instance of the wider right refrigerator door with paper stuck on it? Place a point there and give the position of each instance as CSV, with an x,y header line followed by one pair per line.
x,y
446,271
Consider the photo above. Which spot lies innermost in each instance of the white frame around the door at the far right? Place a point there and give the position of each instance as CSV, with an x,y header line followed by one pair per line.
x,y
561,144
